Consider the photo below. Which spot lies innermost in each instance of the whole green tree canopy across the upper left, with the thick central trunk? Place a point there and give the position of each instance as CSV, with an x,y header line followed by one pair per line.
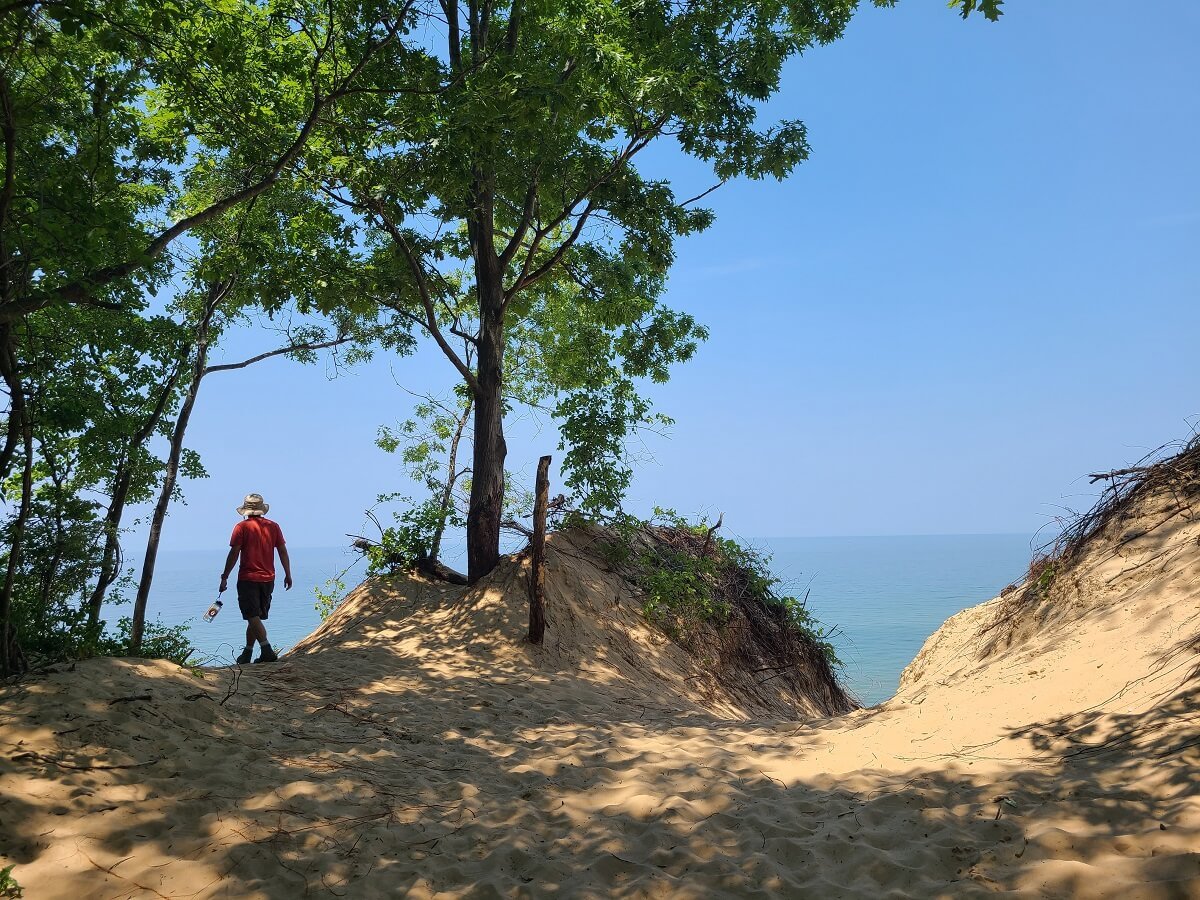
x,y
461,171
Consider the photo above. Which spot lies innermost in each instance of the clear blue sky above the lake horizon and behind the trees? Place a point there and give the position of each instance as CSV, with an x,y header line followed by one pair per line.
x,y
981,287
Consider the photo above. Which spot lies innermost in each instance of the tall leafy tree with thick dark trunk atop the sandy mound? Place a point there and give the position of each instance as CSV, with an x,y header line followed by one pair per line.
x,y
519,165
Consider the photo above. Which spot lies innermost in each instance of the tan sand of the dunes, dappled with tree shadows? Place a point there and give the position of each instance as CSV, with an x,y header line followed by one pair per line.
x,y
416,747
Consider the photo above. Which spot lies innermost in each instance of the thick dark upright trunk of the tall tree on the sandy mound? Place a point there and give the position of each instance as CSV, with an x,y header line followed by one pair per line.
x,y
488,466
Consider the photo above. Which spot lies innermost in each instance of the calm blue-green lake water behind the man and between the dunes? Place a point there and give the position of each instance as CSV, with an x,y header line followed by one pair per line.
x,y
885,596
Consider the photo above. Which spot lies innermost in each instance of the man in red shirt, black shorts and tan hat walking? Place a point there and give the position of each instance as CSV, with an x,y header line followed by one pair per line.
x,y
256,539
